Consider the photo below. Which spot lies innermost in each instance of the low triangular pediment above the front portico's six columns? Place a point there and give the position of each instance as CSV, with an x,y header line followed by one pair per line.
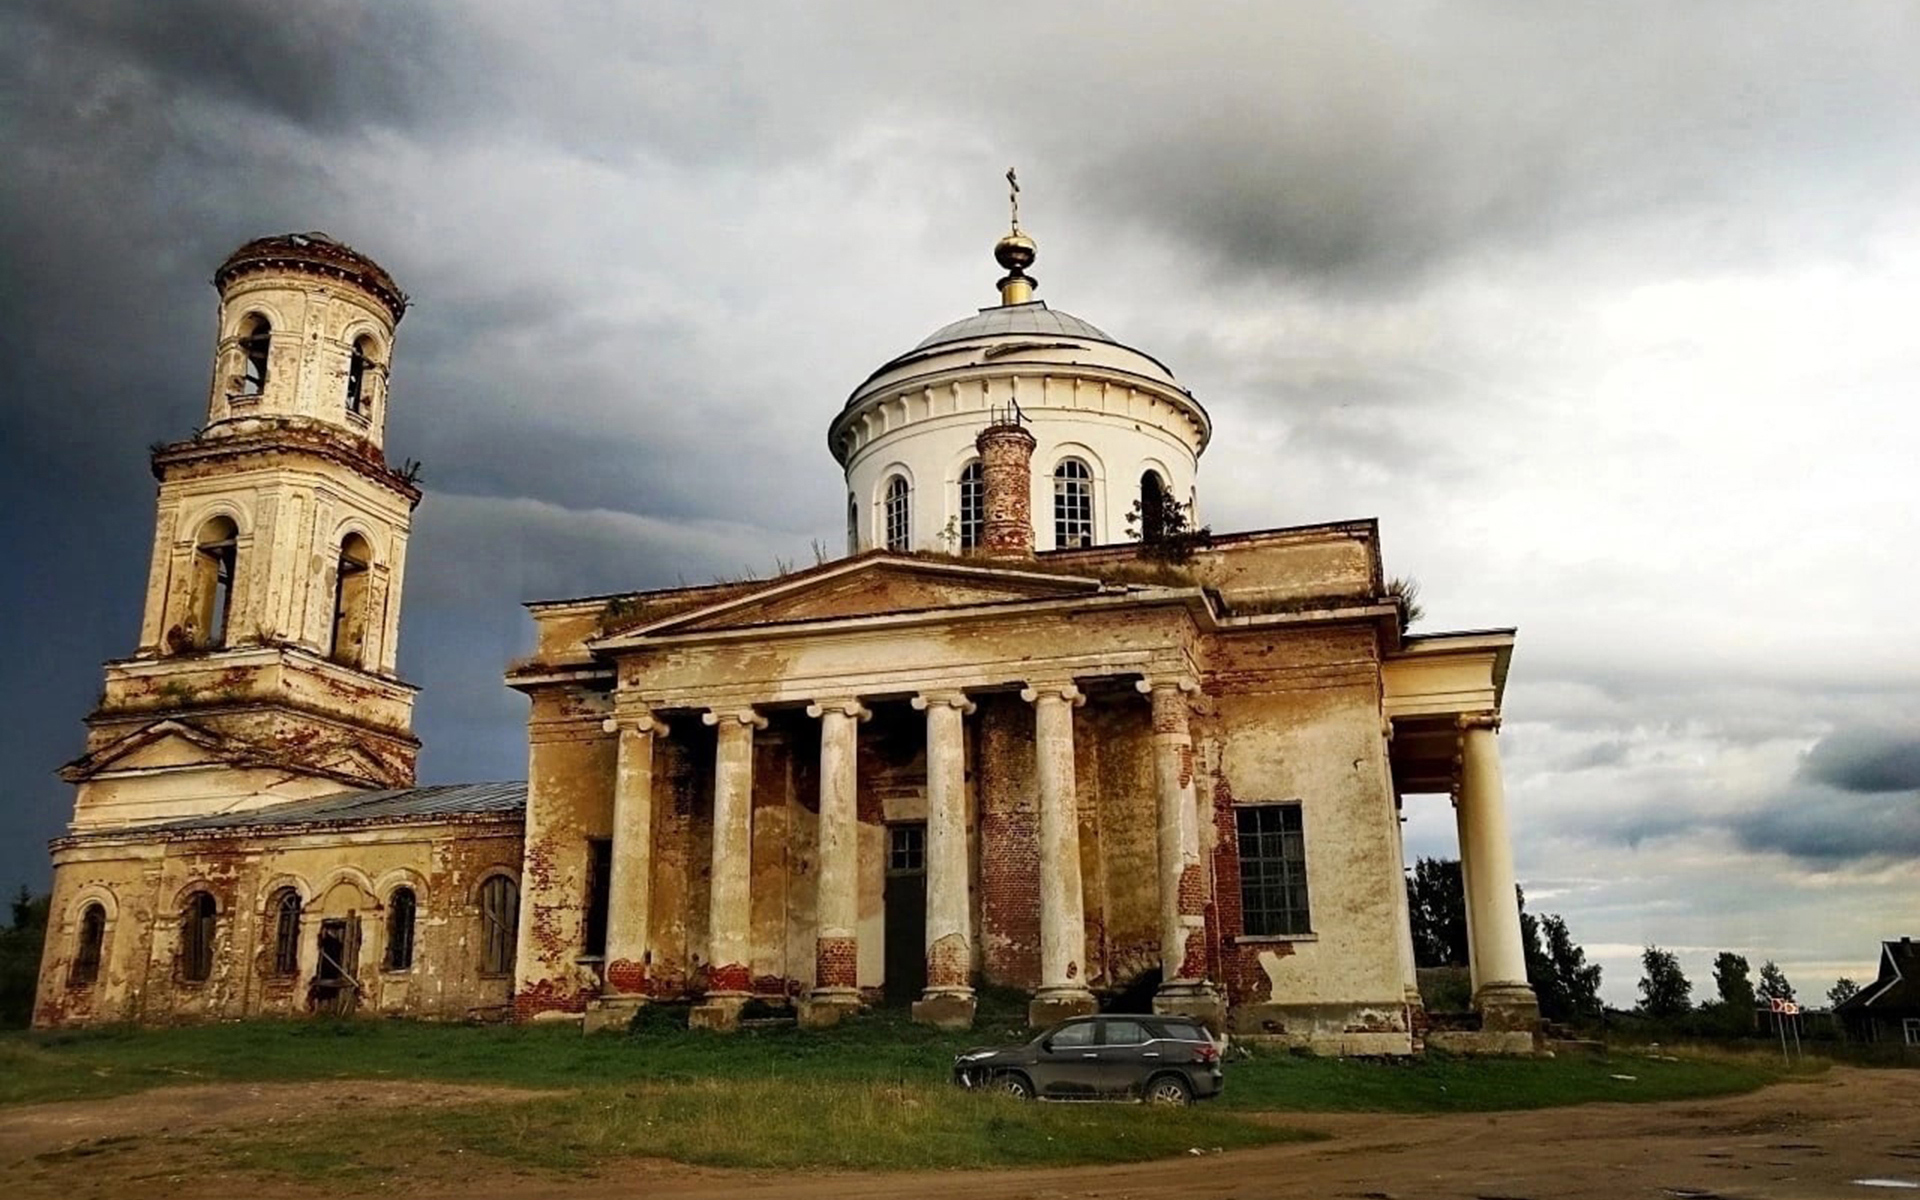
x,y
869,587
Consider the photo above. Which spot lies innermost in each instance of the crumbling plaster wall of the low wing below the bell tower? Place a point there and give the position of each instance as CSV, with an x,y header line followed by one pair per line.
x,y
143,886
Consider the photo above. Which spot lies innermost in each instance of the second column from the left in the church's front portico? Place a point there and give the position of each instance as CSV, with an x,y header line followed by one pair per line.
x,y
729,913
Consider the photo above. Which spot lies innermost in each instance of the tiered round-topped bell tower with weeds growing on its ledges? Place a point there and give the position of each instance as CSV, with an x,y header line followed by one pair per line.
x,y
266,667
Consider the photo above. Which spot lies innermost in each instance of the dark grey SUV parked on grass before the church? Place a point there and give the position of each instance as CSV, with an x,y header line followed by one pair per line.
x,y
1113,1057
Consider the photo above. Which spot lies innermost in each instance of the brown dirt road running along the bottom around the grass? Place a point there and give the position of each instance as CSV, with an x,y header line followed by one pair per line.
x,y
1808,1141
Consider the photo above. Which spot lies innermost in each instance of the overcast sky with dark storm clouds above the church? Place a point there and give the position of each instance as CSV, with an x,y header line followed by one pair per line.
x,y
1604,310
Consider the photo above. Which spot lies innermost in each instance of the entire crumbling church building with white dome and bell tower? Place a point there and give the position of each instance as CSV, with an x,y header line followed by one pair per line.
x,y
1028,734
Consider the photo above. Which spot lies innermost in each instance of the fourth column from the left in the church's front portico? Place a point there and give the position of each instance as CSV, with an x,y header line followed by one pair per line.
x,y
949,997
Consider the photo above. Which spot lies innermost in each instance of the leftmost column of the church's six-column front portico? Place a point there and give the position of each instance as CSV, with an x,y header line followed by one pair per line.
x,y
631,880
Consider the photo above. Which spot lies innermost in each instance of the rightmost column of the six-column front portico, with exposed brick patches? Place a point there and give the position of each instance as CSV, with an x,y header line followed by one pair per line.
x,y
1184,984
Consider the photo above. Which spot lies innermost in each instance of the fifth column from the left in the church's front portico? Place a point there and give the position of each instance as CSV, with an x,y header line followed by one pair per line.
x,y
1063,915
